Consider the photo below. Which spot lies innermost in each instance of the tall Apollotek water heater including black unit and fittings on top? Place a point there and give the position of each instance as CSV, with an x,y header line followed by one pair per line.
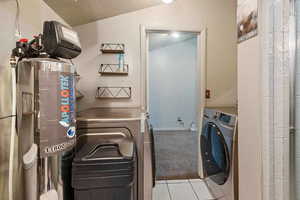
x,y
42,96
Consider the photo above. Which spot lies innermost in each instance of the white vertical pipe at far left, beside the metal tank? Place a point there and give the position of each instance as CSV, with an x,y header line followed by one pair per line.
x,y
12,136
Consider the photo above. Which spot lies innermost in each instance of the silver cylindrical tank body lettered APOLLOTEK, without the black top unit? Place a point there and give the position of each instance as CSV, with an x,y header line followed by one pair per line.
x,y
45,127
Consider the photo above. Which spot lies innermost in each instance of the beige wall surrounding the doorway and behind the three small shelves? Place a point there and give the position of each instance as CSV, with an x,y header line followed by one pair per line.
x,y
219,18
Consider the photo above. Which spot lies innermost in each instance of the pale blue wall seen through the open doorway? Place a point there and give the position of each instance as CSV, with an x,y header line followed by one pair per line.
x,y
172,85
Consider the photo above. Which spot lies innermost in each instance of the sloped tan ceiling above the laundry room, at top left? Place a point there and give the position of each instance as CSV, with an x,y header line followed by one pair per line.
x,y
78,12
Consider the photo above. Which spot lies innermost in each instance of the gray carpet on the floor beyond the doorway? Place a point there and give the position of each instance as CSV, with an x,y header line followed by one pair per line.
x,y
176,154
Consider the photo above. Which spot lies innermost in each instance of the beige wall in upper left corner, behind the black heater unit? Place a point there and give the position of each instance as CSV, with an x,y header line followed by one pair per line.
x,y
33,14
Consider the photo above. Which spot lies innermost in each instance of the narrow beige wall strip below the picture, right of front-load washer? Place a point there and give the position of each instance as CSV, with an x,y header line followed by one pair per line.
x,y
249,118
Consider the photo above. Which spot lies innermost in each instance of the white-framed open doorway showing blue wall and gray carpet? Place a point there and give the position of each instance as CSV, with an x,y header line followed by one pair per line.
x,y
174,73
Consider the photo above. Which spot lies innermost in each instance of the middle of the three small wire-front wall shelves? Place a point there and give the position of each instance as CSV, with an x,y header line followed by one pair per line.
x,y
113,69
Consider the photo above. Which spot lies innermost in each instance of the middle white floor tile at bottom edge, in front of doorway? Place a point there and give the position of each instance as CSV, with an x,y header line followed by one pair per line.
x,y
182,191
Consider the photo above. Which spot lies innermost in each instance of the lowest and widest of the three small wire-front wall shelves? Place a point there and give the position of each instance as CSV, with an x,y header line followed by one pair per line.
x,y
113,93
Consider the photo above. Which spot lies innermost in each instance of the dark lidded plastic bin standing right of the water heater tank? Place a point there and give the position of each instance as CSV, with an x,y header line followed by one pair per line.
x,y
104,170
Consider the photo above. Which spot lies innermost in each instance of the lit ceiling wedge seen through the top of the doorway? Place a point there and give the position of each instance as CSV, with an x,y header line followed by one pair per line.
x,y
159,40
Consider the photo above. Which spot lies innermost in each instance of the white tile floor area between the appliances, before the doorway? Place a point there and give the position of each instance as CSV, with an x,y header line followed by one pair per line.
x,y
192,189
